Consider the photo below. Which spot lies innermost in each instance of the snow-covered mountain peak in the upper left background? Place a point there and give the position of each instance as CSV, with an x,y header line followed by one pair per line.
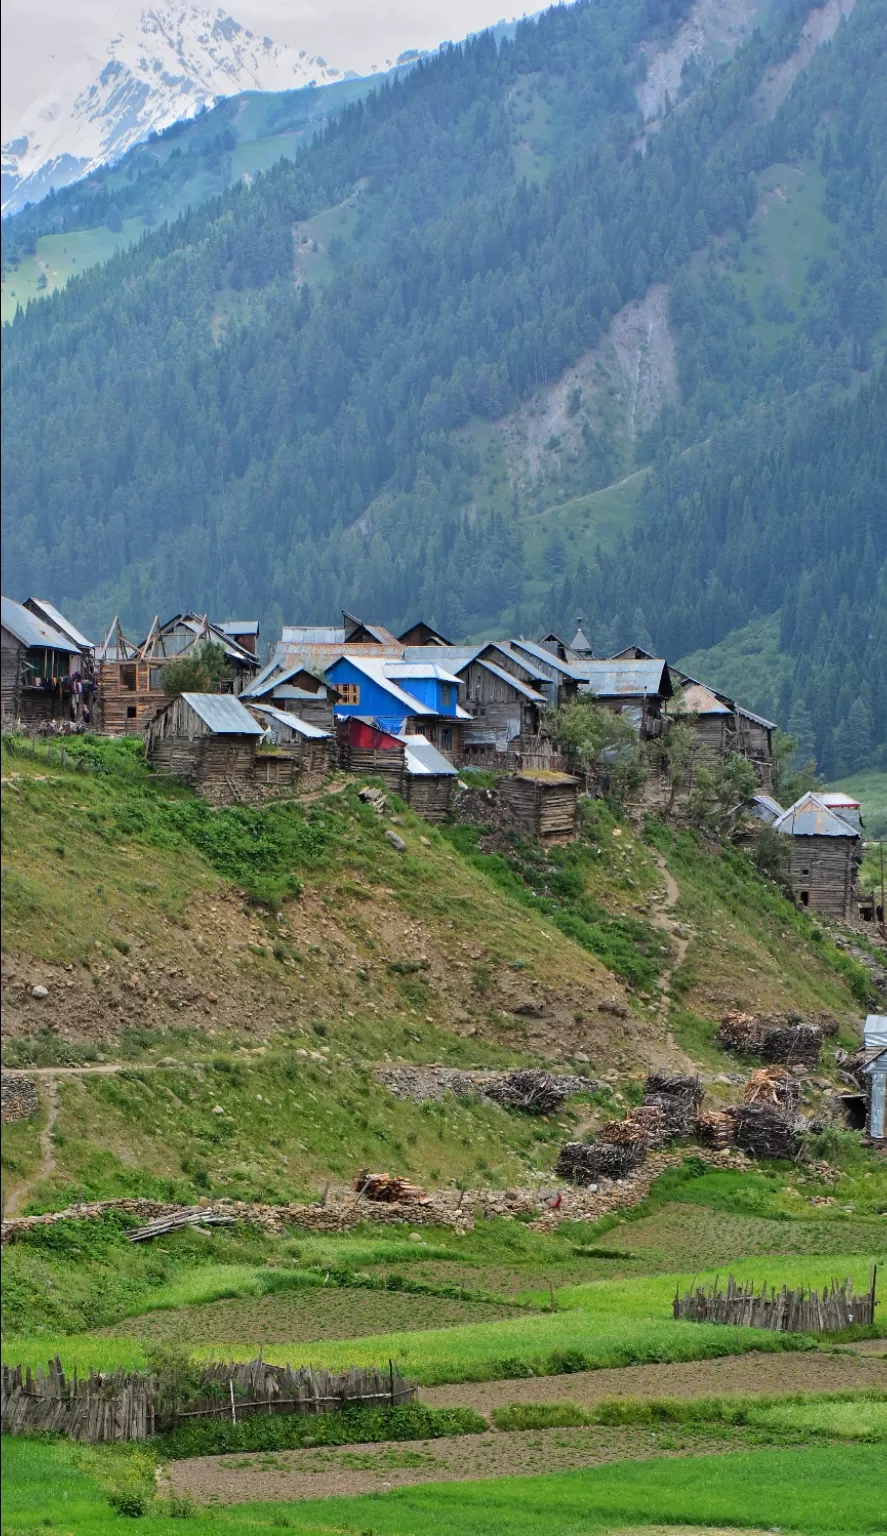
x,y
159,68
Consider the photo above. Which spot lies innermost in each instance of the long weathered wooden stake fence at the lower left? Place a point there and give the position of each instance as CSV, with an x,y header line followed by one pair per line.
x,y
135,1406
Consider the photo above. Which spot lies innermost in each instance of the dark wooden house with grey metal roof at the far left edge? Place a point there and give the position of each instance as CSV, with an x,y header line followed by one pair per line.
x,y
42,670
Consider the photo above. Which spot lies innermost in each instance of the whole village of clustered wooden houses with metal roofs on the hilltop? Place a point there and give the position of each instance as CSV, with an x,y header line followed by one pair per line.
x,y
413,710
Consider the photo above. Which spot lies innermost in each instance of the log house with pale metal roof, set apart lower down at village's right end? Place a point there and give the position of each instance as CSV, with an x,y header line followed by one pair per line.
x,y
825,856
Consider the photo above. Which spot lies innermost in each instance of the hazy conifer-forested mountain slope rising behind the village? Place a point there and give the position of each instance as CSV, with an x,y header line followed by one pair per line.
x,y
191,426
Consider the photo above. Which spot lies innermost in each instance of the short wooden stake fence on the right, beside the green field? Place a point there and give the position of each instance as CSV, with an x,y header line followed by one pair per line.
x,y
780,1311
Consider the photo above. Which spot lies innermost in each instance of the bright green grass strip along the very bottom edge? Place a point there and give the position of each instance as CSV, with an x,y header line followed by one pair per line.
x,y
829,1491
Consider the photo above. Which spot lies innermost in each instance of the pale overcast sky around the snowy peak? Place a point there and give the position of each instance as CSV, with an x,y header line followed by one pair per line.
x,y
44,38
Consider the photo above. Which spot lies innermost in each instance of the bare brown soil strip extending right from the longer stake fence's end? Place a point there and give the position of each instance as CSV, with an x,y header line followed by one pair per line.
x,y
769,1375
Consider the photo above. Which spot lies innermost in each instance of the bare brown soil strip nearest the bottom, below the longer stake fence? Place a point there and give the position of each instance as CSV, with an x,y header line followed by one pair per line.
x,y
377,1469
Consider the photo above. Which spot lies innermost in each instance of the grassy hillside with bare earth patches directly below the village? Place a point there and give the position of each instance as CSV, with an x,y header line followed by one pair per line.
x,y
248,968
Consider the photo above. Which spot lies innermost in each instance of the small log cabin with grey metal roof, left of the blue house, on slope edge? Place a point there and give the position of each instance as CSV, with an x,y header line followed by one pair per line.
x,y
210,741
